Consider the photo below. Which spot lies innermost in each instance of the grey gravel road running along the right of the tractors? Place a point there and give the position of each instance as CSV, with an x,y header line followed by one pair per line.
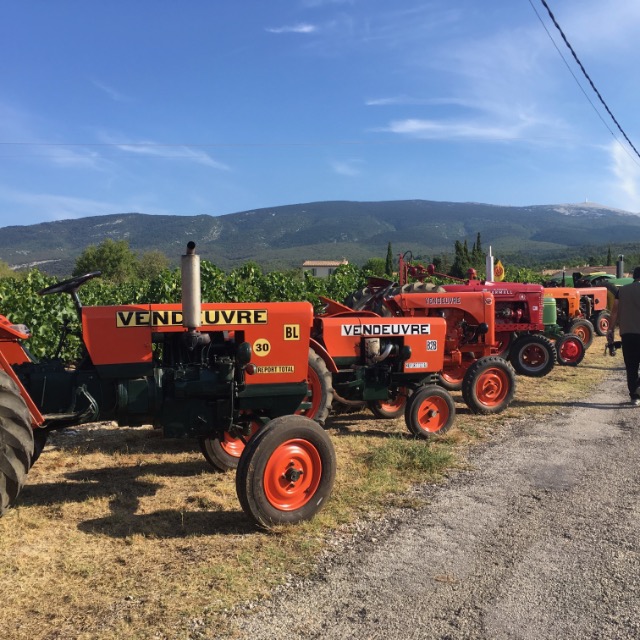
x,y
538,539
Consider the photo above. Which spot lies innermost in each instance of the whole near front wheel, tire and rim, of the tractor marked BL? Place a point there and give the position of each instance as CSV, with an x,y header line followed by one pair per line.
x,y
286,472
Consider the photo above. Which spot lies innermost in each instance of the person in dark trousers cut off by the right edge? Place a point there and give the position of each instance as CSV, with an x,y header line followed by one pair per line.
x,y
626,314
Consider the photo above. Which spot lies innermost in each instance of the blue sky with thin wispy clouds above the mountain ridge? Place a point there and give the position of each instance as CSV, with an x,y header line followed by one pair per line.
x,y
221,106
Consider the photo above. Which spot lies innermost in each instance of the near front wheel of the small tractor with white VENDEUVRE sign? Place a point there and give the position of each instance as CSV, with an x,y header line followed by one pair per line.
x,y
430,411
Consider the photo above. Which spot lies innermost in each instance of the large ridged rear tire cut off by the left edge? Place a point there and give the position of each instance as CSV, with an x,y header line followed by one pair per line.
x,y
16,442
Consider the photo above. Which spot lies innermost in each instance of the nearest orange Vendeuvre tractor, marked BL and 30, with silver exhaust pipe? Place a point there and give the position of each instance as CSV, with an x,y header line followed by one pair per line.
x,y
217,372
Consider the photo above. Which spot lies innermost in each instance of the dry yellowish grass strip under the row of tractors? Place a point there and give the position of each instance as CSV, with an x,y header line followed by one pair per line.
x,y
121,534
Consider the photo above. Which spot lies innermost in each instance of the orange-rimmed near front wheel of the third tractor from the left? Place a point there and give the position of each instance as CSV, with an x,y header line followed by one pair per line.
x,y
489,385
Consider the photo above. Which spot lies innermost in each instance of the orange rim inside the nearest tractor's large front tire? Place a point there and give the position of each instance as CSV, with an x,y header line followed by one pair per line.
x,y
292,475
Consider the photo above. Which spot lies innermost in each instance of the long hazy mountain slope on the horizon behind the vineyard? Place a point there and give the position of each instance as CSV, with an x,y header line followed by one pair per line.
x,y
283,237
